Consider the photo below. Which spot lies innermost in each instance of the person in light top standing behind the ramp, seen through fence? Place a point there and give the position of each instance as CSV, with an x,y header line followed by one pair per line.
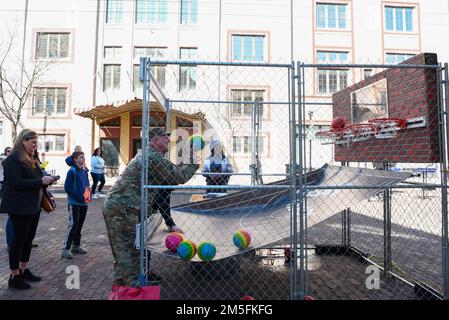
x,y
217,162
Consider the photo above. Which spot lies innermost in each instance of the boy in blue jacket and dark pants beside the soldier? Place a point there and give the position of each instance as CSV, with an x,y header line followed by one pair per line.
x,y
77,187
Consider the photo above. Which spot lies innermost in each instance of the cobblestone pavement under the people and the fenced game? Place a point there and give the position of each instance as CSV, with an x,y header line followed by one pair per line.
x,y
262,273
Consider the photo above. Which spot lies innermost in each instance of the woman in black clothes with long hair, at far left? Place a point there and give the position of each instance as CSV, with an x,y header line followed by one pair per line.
x,y
22,198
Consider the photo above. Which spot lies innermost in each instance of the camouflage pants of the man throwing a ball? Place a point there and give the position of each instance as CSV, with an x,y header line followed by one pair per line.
x,y
120,224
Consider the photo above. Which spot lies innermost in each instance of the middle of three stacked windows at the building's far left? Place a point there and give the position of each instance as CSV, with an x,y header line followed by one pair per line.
x,y
49,101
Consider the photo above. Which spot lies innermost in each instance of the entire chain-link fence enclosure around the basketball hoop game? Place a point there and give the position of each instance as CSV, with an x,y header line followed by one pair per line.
x,y
338,229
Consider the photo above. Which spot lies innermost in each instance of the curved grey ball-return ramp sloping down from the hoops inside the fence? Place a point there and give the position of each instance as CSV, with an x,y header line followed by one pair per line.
x,y
265,213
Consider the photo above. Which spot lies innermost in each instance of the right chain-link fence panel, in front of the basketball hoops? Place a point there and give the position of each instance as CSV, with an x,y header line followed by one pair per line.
x,y
393,244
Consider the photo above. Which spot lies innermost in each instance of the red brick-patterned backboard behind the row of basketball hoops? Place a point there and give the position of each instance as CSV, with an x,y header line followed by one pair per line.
x,y
411,93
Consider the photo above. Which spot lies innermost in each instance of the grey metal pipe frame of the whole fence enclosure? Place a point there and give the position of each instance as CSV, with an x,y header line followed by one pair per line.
x,y
298,163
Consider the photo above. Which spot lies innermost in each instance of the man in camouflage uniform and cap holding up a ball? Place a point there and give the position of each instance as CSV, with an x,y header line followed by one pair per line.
x,y
121,208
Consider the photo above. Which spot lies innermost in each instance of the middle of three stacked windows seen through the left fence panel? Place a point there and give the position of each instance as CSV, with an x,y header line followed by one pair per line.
x,y
246,109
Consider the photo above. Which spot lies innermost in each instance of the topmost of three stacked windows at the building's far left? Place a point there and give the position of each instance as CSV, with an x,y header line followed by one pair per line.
x,y
52,45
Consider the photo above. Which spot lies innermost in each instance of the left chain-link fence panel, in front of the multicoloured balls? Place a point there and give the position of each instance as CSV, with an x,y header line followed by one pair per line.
x,y
233,119
